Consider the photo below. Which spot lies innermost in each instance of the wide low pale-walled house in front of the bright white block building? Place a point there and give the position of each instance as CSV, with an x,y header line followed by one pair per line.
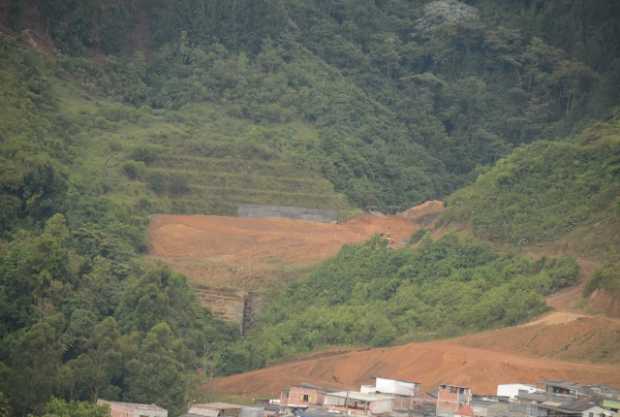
x,y
358,403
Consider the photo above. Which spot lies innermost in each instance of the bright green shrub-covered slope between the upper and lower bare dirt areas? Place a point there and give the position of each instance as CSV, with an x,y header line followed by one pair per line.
x,y
373,295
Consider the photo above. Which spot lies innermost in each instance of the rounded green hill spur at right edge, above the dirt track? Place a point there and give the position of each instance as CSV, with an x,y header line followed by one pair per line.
x,y
550,190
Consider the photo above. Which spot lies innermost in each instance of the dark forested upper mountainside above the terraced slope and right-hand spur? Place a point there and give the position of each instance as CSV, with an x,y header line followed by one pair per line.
x,y
399,101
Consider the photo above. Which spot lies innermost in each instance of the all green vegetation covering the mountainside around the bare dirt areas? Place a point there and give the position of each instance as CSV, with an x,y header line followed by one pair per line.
x,y
112,111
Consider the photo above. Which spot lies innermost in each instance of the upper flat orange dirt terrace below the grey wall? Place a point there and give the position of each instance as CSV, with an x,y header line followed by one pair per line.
x,y
245,253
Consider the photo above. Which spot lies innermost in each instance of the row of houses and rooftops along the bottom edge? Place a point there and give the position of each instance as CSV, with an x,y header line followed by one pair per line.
x,y
397,398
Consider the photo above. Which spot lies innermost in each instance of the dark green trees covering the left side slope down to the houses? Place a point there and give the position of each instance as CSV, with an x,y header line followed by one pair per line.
x,y
81,317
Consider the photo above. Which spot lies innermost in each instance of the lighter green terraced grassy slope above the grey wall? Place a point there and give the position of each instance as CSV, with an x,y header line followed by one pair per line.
x,y
218,161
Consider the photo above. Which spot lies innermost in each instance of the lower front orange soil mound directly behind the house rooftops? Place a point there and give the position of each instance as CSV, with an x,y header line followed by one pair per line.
x,y
429,363
